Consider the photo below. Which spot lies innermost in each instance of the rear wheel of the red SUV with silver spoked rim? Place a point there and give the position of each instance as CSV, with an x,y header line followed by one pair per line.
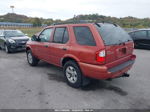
x,y
72,74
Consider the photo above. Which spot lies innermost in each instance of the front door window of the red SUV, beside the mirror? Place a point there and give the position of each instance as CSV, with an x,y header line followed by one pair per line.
x,y
45,35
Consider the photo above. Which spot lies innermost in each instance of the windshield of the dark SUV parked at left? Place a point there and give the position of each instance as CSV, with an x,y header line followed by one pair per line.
x,y
13,33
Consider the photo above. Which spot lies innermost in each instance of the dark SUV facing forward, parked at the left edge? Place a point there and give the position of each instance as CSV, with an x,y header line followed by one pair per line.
x,y
13,40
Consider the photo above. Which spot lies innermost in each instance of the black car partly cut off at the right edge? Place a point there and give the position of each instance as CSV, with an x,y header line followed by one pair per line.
x,y
141,38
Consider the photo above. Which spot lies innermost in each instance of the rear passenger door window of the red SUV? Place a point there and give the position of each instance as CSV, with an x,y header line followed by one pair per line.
x,y
61,35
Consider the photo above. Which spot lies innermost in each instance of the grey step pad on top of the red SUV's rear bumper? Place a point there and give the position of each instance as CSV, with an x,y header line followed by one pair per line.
x,y
121,66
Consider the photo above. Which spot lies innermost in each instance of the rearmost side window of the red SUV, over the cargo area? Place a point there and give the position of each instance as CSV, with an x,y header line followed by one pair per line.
x,y
84,36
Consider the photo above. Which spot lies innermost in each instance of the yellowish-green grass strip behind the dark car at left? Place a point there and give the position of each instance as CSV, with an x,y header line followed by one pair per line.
x,y
29,31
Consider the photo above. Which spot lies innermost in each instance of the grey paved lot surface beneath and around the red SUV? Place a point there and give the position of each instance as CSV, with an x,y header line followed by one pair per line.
x,y
43,87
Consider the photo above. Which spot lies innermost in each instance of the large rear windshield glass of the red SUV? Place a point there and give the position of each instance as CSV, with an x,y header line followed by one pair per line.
x,y
112,34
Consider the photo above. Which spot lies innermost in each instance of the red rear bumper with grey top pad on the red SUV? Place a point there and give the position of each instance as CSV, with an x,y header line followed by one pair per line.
x,y
104,72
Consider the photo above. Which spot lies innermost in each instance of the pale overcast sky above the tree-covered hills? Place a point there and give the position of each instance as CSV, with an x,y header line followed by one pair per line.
x,y
64,9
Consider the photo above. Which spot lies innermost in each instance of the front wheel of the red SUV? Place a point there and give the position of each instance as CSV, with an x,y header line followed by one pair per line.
x,y
32,60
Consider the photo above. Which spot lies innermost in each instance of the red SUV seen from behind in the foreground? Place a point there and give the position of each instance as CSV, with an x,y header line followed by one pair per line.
x,y
84,51
